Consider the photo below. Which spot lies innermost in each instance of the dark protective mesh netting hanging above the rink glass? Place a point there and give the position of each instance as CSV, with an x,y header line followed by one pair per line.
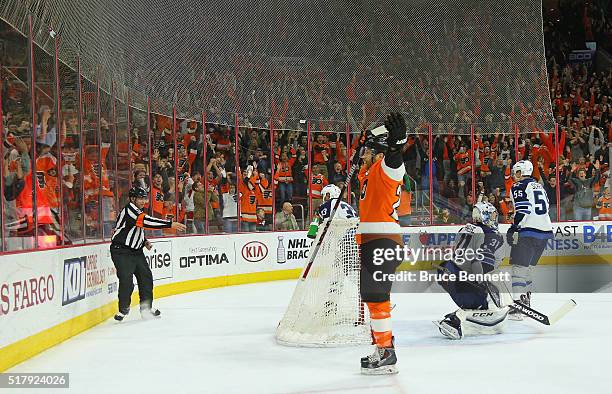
x,y
461,61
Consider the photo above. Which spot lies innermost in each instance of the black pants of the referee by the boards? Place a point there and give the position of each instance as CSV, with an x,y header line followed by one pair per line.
x,y
130,263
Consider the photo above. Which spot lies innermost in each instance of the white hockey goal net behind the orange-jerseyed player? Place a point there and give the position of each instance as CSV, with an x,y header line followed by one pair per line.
x,y
326,308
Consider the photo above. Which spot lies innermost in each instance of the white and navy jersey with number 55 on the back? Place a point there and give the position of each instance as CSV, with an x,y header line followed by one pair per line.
x,y
531,207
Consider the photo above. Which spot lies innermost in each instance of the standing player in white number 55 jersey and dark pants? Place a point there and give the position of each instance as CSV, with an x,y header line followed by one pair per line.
x,y
529,232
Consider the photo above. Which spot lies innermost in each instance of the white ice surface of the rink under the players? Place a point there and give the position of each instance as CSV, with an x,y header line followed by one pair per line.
x,y
221,341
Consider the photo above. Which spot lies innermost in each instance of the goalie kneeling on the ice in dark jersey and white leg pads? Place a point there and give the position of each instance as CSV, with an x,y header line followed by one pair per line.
x,y
479,313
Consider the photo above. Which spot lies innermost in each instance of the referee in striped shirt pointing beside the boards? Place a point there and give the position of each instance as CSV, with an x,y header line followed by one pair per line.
x,y
126,252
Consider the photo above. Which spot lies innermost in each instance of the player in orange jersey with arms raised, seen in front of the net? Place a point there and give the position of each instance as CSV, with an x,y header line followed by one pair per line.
x,y
380,179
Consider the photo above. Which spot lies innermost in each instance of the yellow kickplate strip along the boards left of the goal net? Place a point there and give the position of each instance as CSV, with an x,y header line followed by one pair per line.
x,y
27,348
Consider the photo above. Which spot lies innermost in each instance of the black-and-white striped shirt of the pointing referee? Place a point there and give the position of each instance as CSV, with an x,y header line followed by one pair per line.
x,y
131,222
